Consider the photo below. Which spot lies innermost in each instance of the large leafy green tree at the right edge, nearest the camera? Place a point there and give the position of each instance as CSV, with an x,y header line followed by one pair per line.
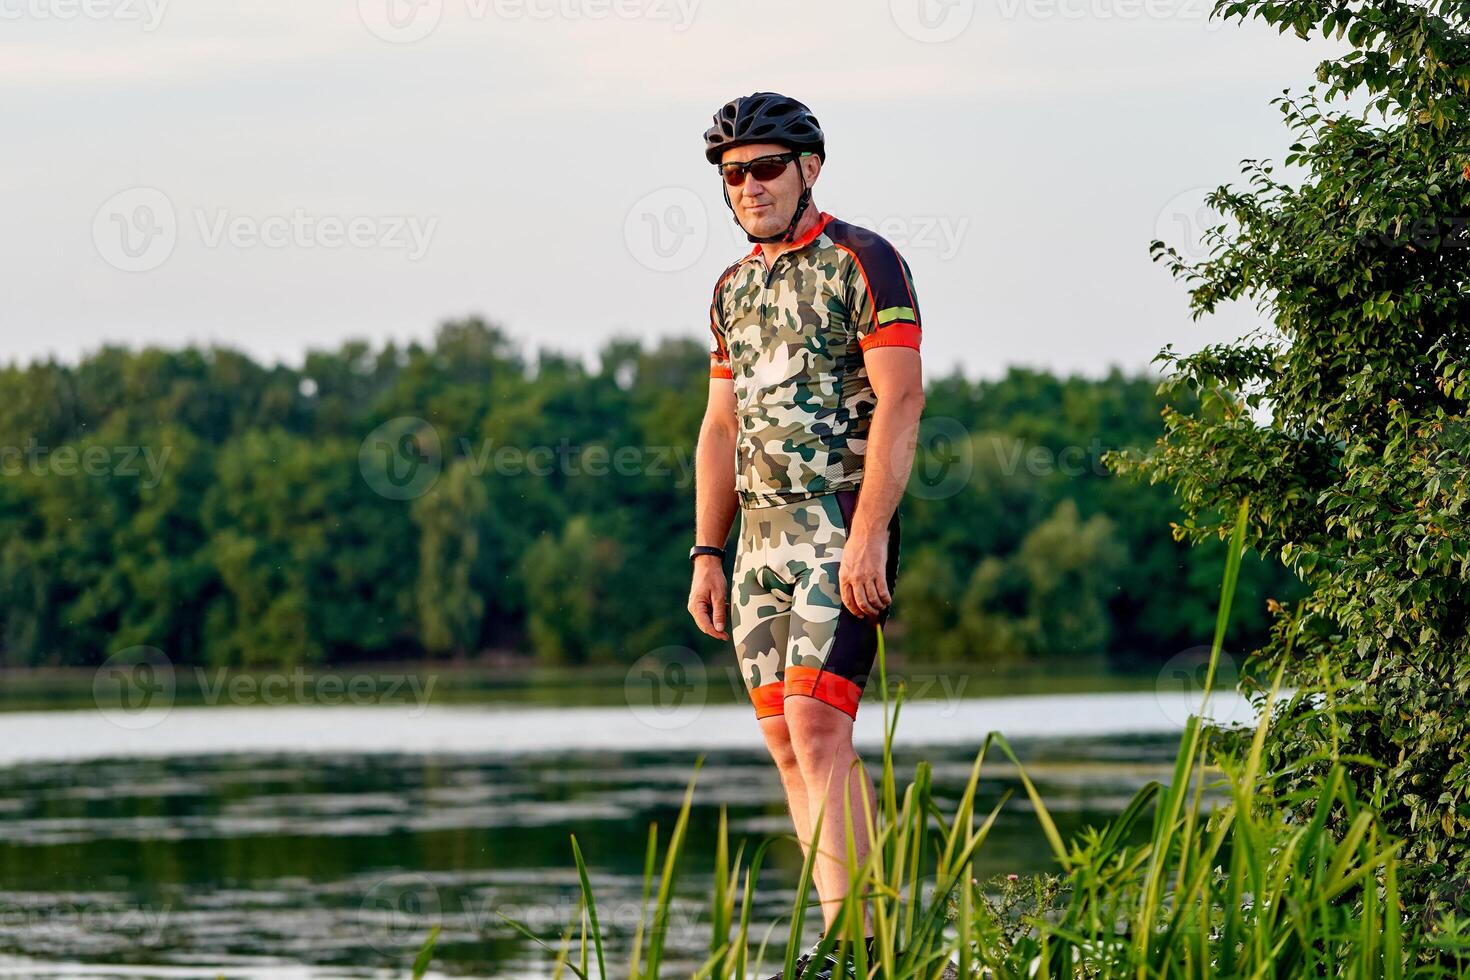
x,y
1358,480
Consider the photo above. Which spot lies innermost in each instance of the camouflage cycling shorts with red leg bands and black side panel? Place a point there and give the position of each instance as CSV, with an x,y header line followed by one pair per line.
x,y
793,635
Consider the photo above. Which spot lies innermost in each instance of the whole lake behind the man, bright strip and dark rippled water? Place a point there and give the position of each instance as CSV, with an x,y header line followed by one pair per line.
x,y
309,840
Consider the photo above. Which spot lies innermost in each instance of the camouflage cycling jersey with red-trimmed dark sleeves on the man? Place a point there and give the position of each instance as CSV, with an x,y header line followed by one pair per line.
x,y
793,340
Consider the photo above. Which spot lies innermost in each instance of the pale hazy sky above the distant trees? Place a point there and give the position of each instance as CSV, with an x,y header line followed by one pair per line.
x,y
286,176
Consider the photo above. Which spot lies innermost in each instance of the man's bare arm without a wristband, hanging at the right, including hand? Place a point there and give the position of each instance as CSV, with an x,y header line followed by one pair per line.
x,y
897,380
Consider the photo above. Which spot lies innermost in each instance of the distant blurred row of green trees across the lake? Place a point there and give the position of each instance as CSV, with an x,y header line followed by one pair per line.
x,y
387,503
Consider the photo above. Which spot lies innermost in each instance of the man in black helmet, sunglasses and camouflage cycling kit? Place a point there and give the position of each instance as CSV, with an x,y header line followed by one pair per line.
x,y
815,402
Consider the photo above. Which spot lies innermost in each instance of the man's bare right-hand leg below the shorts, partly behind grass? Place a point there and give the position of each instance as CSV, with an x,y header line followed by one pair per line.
x,y
822,741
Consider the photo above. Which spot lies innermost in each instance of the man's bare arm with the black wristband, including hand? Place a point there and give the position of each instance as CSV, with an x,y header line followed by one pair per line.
x,y
715,505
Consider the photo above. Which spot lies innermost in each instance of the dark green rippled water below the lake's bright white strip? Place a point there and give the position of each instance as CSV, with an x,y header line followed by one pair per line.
x,y
255,865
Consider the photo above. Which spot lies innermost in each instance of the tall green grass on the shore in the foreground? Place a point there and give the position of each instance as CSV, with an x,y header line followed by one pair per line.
x,y
1166,890
